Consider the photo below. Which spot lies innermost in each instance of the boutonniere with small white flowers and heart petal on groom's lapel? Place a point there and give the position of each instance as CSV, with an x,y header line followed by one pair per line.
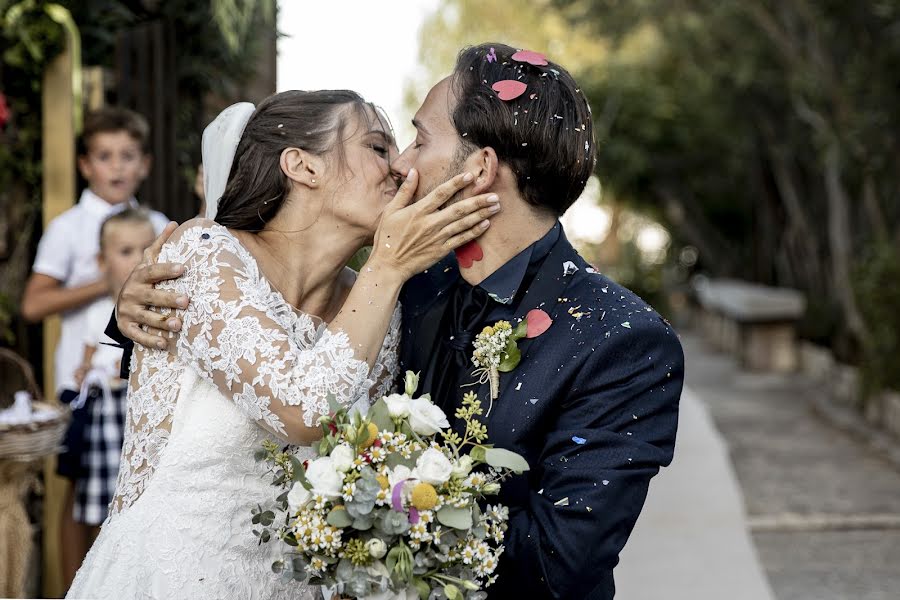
x,y
497,350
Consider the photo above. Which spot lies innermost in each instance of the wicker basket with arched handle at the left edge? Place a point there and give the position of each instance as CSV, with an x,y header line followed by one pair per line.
x,y
28,441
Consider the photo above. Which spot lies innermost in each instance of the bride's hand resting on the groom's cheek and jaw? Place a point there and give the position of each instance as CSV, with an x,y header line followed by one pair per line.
x,y
413,236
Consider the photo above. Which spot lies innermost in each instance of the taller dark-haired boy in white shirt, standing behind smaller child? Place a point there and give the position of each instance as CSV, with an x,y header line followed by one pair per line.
x,y
112,157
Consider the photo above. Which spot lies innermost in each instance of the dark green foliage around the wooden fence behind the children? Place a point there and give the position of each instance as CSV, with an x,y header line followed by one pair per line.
x,y
216,53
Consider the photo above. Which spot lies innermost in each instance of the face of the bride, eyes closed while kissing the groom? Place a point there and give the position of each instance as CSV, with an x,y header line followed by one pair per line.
x,y
365,184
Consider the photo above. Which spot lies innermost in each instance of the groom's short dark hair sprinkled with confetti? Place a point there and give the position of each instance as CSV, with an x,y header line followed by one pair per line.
x,y
545,135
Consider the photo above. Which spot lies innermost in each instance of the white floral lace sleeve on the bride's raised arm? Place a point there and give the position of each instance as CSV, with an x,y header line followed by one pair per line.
x,y
241,335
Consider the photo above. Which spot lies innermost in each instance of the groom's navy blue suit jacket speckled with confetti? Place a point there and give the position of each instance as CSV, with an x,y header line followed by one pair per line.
x,y
592,406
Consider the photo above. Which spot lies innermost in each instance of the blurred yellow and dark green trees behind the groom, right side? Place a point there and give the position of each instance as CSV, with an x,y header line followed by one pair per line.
x,y
762,135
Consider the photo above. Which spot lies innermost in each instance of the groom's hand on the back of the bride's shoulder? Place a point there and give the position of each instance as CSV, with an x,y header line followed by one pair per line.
x,y
138,295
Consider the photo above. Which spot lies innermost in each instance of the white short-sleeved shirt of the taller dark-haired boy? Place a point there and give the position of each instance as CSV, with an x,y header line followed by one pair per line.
x,y
68,252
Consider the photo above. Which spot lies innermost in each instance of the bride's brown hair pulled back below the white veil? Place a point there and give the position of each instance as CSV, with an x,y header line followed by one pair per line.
x,y
312,121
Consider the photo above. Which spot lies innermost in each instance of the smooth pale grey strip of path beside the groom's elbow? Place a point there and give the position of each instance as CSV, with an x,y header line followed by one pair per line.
x,y
691,541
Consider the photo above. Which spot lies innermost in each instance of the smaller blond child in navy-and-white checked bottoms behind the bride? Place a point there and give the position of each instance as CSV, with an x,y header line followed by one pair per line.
x,y
123,238
